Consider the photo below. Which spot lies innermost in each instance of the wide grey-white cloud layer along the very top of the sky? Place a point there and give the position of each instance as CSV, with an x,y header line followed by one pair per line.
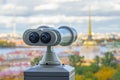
x,y
62,7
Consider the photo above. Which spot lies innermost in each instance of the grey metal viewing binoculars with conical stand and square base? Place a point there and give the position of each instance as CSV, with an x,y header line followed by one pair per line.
x,y
50,68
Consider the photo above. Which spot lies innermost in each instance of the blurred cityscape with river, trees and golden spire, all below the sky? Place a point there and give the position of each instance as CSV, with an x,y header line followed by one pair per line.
x,y
89,50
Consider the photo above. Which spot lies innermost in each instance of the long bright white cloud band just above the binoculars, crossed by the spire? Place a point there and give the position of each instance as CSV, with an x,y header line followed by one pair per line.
x,y
58,19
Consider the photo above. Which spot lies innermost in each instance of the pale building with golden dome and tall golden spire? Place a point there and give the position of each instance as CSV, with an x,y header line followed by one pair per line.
x,y
90,49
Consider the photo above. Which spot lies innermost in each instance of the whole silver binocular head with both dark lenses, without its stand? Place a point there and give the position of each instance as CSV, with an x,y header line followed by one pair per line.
x,y
48,36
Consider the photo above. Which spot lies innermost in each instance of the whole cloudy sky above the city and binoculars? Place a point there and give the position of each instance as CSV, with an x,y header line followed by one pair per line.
x,y
25,14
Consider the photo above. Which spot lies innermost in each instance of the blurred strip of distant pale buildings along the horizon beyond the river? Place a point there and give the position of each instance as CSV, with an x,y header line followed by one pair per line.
x,y
15,40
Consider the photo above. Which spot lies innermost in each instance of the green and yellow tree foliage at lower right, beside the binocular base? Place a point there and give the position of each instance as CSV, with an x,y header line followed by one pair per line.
x,y
101,69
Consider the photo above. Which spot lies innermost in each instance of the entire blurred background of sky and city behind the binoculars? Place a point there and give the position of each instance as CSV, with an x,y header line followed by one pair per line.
x,y
96,52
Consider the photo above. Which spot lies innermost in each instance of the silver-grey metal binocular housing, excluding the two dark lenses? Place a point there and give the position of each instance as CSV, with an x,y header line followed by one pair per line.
x,y
64,36
